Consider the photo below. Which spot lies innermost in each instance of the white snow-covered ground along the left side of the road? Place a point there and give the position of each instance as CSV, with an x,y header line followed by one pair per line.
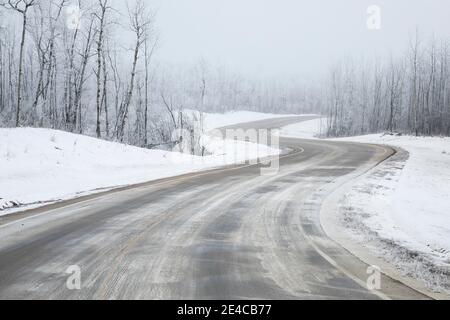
x,y
39,166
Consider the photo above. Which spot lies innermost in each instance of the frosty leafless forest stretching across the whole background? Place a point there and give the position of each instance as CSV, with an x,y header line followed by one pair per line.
x,y
94,73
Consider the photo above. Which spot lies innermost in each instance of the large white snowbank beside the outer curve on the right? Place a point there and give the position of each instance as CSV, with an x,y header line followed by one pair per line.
x,y
407,199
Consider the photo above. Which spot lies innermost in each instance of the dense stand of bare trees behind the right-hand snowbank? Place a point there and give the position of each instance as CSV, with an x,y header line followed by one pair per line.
x,y
407,94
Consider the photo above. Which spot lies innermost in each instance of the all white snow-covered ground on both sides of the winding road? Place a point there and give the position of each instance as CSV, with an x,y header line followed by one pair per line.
x,y
400,209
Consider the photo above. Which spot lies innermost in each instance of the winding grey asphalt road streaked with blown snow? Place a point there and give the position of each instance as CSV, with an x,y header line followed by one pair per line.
x,y
223,234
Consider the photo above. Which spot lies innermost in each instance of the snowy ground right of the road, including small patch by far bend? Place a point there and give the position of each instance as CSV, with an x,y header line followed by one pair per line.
x,y
401,209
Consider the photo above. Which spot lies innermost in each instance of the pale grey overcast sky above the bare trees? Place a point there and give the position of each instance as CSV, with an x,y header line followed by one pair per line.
x,y
290,37
